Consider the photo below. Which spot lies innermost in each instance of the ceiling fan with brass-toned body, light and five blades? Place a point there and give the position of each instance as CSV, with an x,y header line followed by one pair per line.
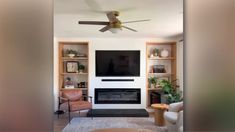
x,y
113,24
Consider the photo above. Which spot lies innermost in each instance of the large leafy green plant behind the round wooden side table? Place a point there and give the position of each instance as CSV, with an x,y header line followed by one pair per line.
x,y
170,91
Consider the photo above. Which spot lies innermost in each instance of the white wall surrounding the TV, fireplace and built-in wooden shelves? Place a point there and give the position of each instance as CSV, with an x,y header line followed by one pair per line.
x,y
110,44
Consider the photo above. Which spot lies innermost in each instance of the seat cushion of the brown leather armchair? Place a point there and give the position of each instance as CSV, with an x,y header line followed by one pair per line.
x,y
76,106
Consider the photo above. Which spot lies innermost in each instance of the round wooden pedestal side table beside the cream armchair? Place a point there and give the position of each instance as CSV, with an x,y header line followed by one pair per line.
x,y
158,114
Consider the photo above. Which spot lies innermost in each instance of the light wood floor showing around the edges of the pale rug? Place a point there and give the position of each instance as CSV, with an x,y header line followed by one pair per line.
x,y
62,121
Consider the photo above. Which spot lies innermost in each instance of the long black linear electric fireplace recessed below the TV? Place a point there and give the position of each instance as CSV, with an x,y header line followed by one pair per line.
x,y
117,96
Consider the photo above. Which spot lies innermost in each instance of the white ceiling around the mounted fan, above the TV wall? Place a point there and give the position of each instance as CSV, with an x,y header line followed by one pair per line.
x,y
166,17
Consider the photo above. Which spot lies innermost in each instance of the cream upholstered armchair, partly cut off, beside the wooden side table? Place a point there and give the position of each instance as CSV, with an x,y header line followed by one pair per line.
x,y
174,117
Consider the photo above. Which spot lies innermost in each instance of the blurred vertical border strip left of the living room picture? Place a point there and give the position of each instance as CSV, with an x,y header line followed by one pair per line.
x,y
26,65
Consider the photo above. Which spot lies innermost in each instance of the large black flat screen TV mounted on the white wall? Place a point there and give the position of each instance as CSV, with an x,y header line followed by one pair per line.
x,y
117,63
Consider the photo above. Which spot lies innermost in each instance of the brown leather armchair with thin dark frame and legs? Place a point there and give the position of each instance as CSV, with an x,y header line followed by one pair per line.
x,y
73,100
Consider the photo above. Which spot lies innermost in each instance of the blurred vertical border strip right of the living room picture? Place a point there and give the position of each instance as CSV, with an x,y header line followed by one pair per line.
x,y
209,65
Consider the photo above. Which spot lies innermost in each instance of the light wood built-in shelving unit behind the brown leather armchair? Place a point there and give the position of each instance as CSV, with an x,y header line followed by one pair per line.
x,y
76,77
